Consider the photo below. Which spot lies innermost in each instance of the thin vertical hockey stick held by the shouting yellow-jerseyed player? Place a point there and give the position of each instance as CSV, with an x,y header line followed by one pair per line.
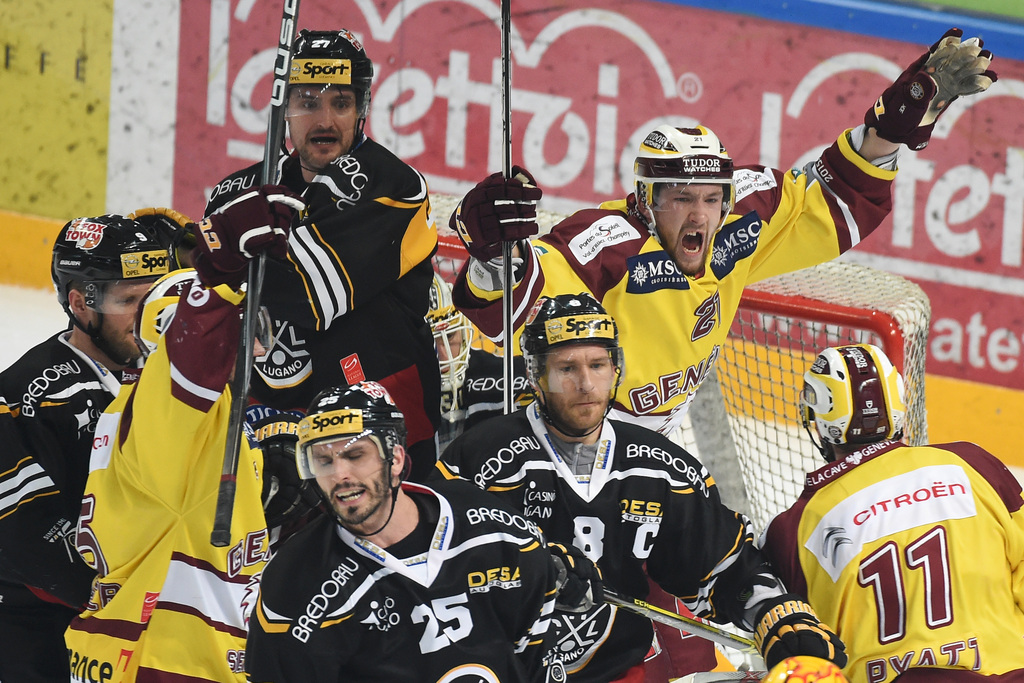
x,y
507,358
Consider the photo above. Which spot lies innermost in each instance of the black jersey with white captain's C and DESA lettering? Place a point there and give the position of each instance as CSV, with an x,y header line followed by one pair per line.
x,y
648,501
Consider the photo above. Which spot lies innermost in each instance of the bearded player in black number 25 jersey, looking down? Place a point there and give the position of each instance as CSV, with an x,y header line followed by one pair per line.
x,y
402,582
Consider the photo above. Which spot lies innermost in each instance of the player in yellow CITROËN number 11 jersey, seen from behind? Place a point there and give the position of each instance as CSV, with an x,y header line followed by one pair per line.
x,y
916,554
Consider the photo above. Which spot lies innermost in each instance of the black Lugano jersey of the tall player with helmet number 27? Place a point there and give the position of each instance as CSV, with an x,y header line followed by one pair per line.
x,y
350,302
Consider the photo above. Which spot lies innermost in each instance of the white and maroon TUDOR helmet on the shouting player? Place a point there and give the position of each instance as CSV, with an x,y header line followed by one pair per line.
x,y
671,156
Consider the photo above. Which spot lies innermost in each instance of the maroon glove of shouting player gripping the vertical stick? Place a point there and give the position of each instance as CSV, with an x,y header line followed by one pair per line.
x,y
495,211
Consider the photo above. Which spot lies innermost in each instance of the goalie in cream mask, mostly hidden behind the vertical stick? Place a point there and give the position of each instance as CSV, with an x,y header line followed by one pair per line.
x,y
473,387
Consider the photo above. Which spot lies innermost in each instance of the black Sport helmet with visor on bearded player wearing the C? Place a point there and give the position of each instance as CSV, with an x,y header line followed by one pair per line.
x,y
568,323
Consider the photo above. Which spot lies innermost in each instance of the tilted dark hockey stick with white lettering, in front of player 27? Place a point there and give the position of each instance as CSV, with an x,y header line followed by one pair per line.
x,y
222,535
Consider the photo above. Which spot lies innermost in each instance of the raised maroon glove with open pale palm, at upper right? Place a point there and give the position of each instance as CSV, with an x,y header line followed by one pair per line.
x,y
908,110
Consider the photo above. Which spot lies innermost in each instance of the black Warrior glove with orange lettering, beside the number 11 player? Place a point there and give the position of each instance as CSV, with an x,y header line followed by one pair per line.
x,y
788,627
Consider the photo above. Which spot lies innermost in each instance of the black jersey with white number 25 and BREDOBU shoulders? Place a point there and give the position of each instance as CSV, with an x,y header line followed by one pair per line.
x,y
476,607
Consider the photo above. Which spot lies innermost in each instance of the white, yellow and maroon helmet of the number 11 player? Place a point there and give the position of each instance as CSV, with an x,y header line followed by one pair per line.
x,y
854,395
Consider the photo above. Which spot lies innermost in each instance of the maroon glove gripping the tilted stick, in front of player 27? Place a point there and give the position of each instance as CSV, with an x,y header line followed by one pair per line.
x,y
252,224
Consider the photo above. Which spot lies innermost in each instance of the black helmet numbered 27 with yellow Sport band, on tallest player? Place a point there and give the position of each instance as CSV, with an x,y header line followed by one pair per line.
x,y
333,58
